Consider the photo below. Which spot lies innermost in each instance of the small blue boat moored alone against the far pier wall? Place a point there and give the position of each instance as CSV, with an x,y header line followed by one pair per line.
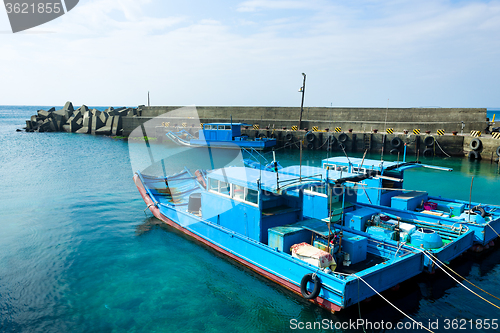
x,y
221,135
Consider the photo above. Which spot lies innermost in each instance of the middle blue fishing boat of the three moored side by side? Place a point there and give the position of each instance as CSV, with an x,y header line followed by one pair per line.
x,y
338,199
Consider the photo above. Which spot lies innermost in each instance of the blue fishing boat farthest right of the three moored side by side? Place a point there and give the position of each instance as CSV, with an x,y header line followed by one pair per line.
x,y
384,187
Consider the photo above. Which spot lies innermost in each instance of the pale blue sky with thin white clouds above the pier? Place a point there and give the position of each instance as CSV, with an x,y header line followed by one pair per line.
x,y
365,53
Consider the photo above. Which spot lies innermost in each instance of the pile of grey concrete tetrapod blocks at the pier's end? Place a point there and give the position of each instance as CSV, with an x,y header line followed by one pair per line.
x,y
82,120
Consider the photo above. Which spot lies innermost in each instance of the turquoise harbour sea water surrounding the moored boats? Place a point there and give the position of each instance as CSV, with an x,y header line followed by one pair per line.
x,y
78,254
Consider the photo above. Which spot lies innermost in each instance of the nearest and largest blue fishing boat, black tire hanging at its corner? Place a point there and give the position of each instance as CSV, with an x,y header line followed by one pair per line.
x,y
256,217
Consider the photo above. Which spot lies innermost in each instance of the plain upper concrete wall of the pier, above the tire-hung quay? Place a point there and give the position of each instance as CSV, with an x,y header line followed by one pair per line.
x,y
357,119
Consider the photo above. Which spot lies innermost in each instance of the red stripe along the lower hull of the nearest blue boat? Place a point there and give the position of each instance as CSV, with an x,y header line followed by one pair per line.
x,y
288,285
